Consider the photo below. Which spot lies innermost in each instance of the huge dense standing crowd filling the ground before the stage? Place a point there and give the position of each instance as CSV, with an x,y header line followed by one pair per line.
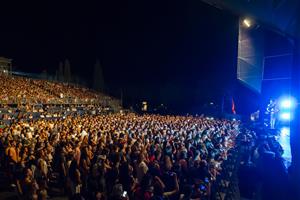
x,y
116,156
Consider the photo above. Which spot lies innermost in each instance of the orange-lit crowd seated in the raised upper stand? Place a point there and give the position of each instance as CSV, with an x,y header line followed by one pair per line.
x,y
21,90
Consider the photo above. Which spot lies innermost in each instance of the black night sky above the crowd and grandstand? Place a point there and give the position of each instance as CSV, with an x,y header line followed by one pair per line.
x,y
180,53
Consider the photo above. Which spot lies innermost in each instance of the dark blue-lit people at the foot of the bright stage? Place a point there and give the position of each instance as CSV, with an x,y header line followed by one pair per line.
x,y
263,172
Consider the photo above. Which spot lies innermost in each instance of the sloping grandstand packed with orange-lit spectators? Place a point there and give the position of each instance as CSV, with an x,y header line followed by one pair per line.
x,y
33,97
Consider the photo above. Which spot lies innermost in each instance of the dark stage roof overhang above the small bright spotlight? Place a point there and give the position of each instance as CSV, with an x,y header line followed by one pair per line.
x,y
280,15
